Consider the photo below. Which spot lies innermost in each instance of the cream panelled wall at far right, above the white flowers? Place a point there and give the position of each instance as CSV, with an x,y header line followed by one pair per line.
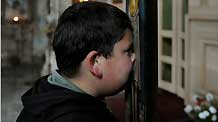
x,y
202,33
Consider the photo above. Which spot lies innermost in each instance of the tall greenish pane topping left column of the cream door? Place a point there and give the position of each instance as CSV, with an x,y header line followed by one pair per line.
x,y
167,15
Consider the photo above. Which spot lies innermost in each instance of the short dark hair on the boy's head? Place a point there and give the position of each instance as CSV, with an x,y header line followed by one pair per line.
x,y
84,27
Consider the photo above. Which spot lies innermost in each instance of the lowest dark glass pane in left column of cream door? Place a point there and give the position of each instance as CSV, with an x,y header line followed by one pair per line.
x,y
166,72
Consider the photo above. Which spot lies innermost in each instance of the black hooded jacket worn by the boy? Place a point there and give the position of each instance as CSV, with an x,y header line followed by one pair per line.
x,y
45,102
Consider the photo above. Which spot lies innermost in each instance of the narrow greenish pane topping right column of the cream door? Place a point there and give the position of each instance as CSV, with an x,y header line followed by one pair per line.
x,y
184,12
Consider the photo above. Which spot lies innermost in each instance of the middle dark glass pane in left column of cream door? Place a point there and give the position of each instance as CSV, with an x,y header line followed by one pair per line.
x,y
167,46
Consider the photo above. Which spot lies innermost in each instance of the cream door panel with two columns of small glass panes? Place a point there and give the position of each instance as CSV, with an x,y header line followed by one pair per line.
x,y
172,46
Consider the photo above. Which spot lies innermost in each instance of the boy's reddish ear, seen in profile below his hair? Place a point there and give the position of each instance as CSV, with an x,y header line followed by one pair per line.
x,y
93,63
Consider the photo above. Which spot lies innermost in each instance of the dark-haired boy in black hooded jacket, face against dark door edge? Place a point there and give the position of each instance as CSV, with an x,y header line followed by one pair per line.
x,y
93,47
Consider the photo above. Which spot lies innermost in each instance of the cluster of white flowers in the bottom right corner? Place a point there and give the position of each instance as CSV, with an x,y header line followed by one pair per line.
x,y
203,109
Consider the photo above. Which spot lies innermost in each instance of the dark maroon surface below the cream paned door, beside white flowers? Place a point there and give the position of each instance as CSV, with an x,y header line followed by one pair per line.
x,y
171,108
